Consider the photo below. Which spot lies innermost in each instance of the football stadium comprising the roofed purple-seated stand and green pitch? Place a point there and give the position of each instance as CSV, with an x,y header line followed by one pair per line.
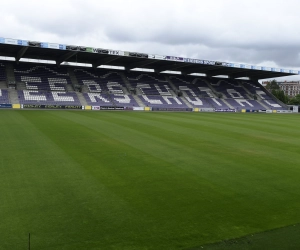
x,y
107,149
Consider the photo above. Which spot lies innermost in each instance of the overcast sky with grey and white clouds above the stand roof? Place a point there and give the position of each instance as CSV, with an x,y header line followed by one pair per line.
x,y
255,32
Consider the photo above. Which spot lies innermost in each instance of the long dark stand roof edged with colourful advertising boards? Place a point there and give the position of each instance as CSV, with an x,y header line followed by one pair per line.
x,y
129,60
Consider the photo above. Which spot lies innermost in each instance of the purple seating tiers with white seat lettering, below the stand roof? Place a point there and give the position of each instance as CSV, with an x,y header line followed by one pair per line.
x,y
52,85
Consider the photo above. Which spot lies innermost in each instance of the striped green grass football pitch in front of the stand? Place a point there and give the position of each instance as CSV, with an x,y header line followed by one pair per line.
x,y
149,180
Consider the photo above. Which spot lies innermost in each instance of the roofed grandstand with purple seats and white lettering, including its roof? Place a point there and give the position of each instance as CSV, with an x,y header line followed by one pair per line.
x,y
58,84
